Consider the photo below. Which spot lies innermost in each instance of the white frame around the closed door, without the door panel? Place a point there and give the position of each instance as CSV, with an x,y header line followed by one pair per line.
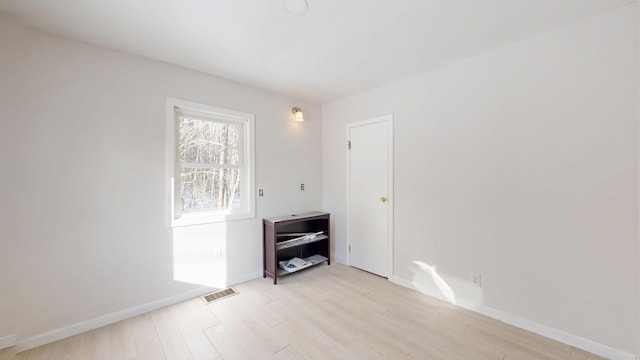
x,y
389,120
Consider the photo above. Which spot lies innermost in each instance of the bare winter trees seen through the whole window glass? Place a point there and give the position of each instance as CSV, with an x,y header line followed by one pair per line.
x,y
210,158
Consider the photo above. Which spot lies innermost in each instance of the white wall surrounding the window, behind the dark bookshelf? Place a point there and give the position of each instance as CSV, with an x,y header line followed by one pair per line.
x,y
83,180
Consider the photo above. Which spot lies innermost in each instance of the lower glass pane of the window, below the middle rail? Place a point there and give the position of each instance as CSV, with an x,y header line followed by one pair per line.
x,y
210,189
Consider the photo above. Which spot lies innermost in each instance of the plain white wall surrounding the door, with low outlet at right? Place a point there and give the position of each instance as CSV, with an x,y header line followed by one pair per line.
x,y
520,164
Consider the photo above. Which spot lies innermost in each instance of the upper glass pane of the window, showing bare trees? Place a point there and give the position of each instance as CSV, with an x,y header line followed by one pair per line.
x,y
208,142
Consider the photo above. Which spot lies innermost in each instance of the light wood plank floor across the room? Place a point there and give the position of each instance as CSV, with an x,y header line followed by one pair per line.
x,y
328,312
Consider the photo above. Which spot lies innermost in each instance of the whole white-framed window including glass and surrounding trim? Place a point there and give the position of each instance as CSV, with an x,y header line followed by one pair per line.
x,y
210,163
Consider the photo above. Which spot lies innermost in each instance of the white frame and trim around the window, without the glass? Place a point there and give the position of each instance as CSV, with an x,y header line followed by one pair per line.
x,y
247,180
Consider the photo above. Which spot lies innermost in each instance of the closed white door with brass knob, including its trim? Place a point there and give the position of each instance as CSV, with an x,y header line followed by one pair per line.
x,y
369,207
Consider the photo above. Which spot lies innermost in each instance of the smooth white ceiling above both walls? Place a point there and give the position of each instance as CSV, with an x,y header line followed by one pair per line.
x,y
340,47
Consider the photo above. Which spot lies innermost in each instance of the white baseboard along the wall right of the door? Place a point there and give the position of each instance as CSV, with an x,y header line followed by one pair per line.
x,y
549,332
